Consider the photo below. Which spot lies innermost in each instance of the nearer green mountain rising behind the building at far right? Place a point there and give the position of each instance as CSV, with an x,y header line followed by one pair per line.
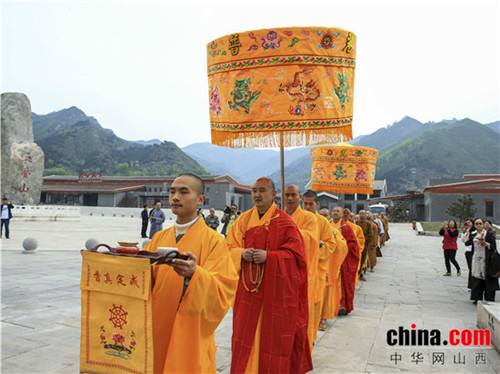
x,y
449,151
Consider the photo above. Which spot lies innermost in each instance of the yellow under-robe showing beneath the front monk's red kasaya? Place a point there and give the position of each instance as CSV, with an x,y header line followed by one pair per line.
x,y
234,240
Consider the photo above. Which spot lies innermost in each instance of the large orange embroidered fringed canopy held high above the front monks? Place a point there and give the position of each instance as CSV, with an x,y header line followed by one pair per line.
x,y
282,87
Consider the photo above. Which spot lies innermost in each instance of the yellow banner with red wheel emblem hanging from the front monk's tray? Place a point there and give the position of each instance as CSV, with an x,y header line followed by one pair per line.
x,y
116,333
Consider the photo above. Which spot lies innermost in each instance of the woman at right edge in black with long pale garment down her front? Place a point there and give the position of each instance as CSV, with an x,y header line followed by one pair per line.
x,y
483,247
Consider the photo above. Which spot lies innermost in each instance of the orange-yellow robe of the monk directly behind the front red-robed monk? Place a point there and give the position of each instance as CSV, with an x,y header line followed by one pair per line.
x,y
308,227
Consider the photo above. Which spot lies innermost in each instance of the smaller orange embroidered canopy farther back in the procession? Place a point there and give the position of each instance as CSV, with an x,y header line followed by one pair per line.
x,y
343,168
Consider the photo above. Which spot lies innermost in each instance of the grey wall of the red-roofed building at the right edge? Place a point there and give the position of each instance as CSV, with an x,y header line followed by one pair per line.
x,y
436,205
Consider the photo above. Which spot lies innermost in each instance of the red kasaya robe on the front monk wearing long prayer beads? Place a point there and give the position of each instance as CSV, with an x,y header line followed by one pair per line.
x,y
281,301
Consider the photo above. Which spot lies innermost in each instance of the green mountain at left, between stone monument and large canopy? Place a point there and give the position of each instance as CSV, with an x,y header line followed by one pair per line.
x,y
73,142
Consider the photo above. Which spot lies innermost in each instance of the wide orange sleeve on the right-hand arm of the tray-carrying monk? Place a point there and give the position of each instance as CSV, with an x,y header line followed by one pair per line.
x,y
212,288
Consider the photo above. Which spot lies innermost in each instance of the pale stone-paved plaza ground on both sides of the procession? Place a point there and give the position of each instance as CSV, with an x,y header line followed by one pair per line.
x,y
40,315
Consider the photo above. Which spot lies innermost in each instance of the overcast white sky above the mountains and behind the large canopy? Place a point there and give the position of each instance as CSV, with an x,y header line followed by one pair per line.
x,y
139,68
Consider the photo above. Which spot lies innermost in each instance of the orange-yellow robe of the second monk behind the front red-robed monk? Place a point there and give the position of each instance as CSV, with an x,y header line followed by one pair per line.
x,y
326,250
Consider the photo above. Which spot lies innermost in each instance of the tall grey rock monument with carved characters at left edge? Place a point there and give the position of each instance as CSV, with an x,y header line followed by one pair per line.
x,y
22,161
